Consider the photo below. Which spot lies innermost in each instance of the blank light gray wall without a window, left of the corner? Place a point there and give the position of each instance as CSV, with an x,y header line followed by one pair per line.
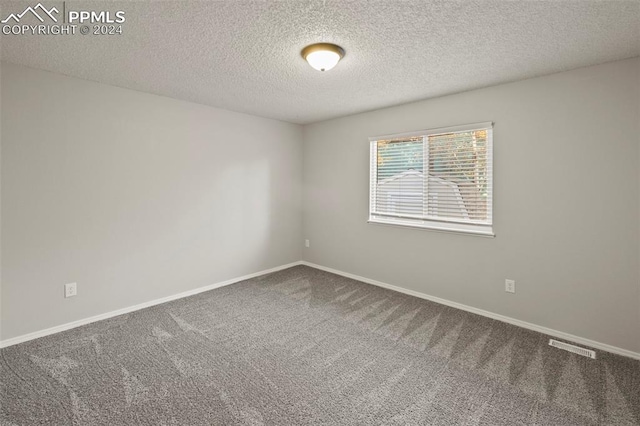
x,y
134,197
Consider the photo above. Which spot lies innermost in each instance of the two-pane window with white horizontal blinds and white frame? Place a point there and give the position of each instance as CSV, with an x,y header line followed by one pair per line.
x,y
438,179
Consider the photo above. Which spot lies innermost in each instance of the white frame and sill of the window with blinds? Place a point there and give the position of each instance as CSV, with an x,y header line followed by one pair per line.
x,y
462,227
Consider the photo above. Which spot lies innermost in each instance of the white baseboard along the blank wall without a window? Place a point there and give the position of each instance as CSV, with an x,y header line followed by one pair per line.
x,y
78,323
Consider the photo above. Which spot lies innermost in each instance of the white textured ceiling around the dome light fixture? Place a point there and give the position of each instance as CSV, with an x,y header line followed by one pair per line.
x,y
245,55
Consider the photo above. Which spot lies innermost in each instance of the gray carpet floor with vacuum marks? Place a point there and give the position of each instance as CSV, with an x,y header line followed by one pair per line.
x,y
303,346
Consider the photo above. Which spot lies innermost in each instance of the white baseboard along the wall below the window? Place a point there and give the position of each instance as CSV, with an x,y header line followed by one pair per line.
x,y
523,324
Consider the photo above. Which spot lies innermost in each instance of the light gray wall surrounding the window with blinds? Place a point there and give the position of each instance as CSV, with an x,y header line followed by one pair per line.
x,y
566,204
